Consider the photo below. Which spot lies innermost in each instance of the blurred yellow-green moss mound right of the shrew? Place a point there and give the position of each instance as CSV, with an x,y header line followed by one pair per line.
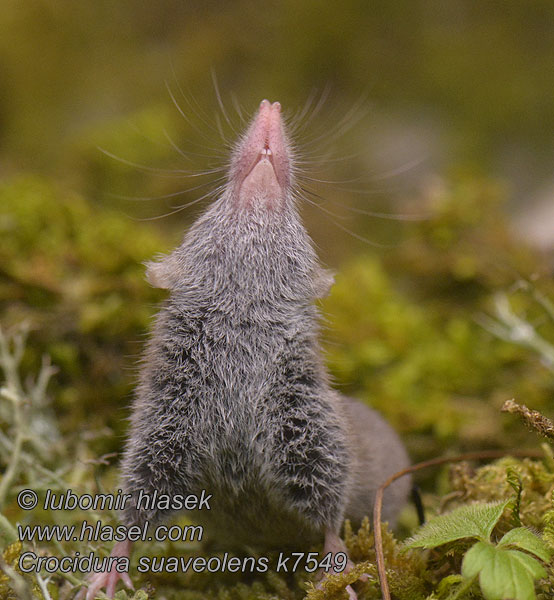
x,y
408,333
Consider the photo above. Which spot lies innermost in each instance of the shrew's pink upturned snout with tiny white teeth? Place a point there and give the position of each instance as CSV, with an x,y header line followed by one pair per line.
x,y
261,161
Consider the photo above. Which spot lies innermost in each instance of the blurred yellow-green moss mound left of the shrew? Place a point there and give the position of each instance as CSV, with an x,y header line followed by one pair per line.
x,y
75,274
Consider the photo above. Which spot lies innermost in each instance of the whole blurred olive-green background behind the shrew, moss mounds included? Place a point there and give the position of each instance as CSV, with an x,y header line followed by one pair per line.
x,y
439,109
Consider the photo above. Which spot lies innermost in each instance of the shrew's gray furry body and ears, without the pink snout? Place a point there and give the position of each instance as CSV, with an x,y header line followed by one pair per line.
x,y
233,395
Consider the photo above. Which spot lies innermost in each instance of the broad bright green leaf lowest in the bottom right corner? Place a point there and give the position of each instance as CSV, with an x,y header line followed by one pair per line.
x,y
503,574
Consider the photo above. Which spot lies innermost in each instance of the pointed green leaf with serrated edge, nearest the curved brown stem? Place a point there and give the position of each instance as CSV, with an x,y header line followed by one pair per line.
x,y
472,521
